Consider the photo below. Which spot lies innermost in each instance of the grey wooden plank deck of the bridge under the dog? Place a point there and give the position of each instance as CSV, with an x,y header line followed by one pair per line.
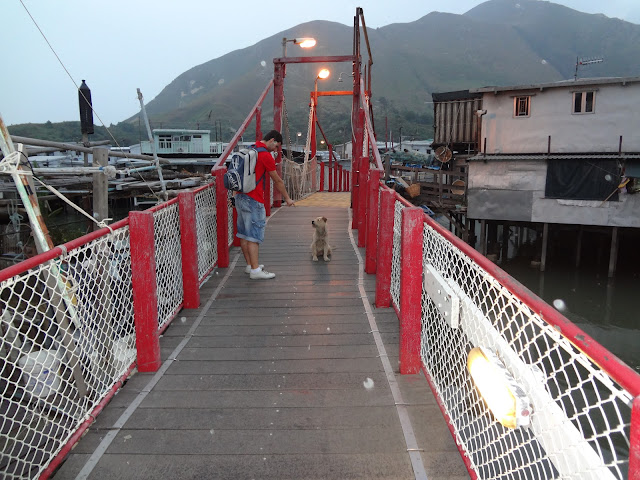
x,y
275,379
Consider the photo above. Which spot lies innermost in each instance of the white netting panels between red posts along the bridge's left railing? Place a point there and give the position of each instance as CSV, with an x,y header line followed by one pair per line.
x,y
68,337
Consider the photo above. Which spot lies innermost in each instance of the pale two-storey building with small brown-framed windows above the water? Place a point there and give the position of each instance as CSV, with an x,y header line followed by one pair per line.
x,y
557,153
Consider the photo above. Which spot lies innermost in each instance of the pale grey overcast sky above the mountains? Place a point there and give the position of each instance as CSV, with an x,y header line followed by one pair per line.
x,y
121,45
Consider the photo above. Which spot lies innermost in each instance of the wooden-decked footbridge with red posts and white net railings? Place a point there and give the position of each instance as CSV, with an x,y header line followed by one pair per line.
x,y
143,350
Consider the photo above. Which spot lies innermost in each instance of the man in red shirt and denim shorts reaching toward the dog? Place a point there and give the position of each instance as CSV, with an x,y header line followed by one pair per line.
x,y
252,217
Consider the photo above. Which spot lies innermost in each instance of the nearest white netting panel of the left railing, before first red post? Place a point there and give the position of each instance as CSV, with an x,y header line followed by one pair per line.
x,y
68,337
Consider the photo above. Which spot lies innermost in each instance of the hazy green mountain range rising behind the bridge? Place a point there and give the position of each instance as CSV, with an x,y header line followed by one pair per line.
x,y
499,42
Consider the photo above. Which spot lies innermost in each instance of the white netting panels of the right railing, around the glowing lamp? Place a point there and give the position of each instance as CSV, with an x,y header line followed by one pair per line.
x,y
571,401
